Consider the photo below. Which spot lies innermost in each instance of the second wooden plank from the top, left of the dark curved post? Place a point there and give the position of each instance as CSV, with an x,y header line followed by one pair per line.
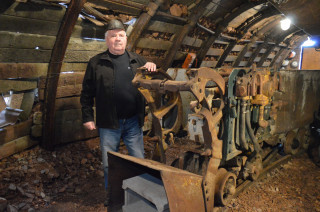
x,y
26,25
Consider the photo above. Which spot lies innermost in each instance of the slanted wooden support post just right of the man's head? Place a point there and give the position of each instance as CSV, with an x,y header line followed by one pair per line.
x,y
142,23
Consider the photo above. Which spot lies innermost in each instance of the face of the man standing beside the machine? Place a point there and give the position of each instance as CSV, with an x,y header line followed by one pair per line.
x,y
116,40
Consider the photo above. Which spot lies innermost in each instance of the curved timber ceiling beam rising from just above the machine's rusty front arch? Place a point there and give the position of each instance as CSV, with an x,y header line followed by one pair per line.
x,y
206,45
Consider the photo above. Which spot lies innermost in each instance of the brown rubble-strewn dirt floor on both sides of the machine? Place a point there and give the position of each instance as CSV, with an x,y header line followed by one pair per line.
x,y
71,179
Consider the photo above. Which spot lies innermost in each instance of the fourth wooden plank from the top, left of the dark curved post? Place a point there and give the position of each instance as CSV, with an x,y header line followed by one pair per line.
x,y
24,55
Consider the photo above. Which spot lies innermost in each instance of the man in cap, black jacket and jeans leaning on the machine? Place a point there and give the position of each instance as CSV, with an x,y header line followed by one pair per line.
x,y
119,106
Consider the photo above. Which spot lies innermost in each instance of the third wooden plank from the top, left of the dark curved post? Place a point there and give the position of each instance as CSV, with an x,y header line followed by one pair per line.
x,y
26,41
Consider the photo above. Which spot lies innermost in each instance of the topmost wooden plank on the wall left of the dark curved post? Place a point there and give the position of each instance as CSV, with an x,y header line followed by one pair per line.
x,y
36,11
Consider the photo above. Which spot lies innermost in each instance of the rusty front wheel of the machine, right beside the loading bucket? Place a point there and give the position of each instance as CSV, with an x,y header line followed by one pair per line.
x,y
225,187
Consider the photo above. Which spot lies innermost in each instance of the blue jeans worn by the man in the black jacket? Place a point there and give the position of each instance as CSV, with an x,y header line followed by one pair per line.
x,y
132,136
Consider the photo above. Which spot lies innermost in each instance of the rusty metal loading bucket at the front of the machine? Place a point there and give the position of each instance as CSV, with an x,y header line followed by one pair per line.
x,y
183,189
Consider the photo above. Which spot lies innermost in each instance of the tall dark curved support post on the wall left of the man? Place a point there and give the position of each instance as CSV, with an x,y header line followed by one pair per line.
x,y
58,52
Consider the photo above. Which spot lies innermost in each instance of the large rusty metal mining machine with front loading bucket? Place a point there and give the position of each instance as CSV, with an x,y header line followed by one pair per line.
x,y
239,117
